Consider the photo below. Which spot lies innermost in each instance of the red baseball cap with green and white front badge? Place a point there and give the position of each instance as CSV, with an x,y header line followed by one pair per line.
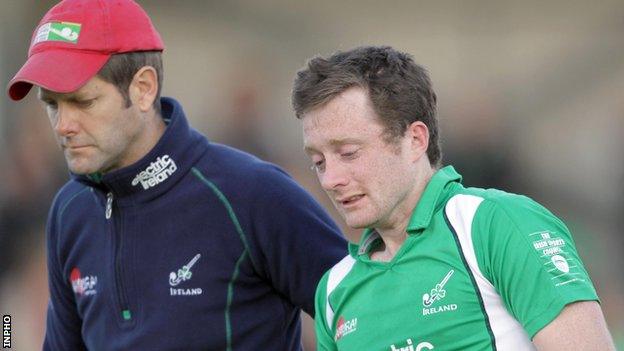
x,y
76,38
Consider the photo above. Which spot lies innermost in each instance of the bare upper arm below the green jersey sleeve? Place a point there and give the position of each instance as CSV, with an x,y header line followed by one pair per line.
x,y
580,326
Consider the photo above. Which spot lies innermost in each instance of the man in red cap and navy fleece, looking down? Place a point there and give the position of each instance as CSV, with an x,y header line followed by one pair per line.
x,y
161,240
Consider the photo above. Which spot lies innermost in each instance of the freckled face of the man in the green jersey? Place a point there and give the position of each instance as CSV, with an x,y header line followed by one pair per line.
x,y
368,179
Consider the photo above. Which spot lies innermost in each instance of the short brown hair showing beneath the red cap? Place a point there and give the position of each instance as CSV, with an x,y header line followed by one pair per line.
x,y
121,68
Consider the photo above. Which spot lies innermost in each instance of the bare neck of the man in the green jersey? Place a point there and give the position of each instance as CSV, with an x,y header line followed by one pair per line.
x,y
394,235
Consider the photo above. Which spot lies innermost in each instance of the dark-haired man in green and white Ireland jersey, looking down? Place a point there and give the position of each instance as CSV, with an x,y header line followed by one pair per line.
x,y
439,266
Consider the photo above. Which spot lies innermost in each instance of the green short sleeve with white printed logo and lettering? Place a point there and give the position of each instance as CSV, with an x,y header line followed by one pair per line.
x,y
529,256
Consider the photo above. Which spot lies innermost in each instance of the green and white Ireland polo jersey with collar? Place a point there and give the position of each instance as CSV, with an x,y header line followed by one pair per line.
x,y
479,270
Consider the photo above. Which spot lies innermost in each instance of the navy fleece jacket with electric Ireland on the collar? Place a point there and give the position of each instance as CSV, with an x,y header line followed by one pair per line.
x,y
197,246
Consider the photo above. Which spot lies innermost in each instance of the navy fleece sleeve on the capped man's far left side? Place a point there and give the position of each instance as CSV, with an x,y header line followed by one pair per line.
x,y
63,324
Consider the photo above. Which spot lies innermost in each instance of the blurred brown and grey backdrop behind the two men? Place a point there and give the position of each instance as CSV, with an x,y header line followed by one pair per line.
x,y
529,92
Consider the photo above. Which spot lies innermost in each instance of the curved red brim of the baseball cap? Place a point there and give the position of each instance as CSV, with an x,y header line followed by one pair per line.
x,y
61,71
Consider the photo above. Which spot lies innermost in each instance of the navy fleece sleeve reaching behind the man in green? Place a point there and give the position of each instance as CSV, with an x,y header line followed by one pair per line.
x,y
294,239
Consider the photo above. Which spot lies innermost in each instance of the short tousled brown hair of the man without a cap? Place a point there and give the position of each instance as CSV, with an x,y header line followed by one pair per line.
x,y
399,89
